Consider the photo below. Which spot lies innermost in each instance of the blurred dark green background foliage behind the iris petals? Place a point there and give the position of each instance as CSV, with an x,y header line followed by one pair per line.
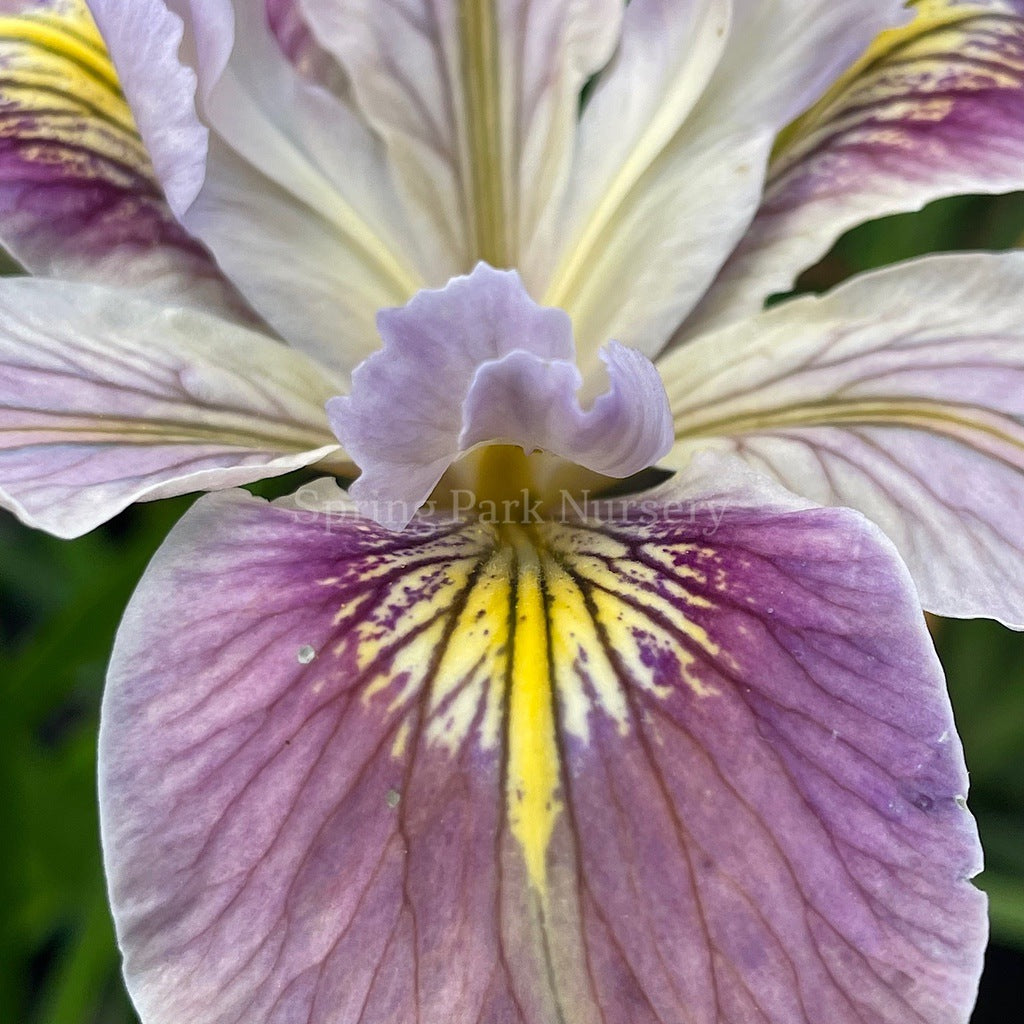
x,y
60,606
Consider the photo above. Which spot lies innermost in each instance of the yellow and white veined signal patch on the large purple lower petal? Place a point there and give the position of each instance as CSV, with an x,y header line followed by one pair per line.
x,y
521,647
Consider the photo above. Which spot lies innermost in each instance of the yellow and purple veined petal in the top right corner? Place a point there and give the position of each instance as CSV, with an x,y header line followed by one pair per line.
x,y
934,109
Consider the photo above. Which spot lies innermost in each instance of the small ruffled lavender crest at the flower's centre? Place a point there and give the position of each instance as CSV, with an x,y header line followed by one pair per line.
x,y
480,362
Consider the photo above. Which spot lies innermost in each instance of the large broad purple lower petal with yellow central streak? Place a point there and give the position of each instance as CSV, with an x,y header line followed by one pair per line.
x,y
693,767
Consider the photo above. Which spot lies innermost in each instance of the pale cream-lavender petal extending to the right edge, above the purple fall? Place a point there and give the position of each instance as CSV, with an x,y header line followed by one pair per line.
x,y
901,395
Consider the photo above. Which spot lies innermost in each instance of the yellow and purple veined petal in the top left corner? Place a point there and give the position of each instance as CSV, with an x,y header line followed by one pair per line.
x,y
79,198
